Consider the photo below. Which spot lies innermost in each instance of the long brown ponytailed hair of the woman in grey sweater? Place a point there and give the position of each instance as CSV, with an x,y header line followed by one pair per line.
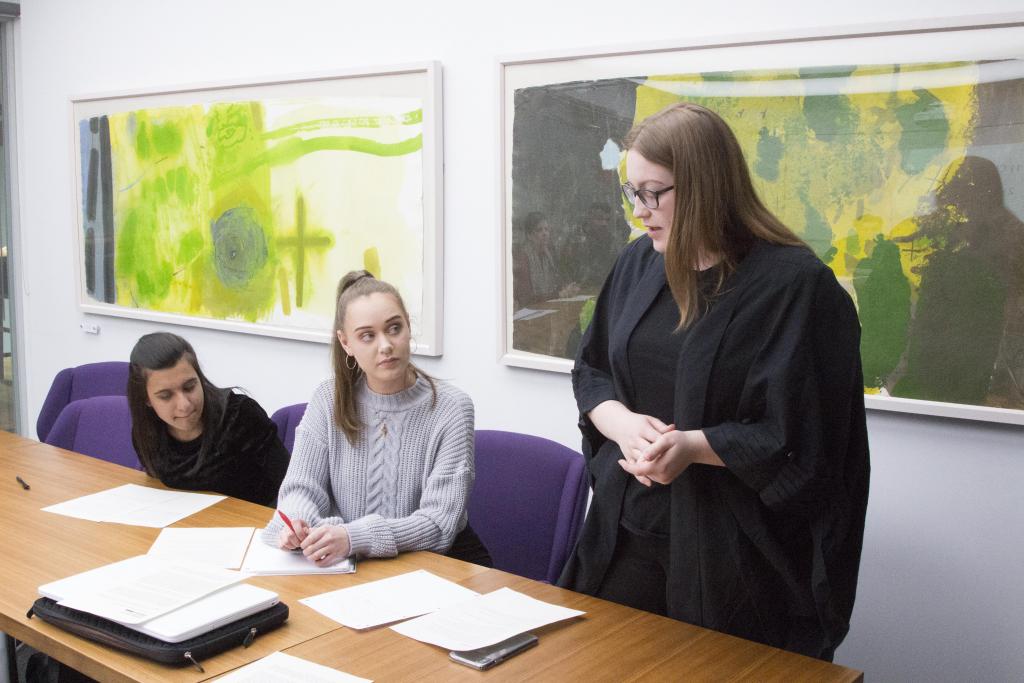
x,y
355,285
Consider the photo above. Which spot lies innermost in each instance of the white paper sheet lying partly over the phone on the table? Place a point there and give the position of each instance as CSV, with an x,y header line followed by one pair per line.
x,y
484,621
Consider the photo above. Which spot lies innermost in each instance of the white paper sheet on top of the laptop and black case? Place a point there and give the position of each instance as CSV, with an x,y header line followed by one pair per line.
x,y
139,589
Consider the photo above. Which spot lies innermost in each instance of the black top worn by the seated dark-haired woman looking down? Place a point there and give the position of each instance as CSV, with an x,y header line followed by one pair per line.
x,y
246,459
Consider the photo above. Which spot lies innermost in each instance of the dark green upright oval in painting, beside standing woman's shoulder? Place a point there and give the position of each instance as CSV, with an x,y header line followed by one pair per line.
x,y
884,307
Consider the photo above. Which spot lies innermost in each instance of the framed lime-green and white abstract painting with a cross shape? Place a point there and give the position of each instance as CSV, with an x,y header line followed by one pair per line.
x,y
240,206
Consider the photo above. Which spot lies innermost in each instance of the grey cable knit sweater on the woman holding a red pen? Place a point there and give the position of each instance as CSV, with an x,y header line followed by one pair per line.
x,y
403,486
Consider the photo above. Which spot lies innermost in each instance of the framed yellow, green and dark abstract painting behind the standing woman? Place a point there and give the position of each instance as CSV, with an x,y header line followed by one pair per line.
x,y
895,152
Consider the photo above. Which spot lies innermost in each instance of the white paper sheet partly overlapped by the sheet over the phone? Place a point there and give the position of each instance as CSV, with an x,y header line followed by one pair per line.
x,y
390,600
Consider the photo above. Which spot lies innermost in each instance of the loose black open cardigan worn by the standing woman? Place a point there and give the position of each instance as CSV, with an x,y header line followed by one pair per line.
x,y
767,548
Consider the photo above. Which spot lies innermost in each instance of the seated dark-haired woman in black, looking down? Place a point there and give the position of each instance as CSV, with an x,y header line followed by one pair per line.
x,y
194,436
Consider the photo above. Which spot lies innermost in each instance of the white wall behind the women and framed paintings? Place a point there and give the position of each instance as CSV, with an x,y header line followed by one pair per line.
x,y
941,592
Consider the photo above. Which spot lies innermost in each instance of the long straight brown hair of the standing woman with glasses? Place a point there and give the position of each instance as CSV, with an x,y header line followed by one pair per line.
x,y
717,210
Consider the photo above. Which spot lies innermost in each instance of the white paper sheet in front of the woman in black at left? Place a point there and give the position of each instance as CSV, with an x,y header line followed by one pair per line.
x,y
137,505
